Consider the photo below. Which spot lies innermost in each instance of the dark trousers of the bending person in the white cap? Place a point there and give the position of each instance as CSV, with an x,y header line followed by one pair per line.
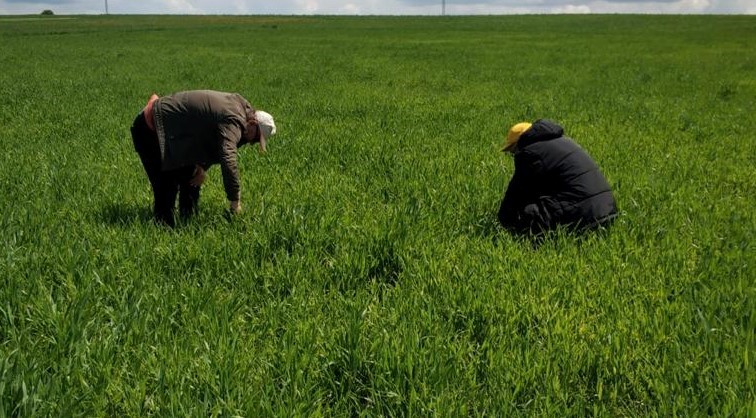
x,y
165,184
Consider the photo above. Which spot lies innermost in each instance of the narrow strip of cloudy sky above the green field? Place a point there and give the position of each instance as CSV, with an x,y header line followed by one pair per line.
x,y
377,7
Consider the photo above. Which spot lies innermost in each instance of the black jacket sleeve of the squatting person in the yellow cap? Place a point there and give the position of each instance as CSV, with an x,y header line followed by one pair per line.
x,y
515,210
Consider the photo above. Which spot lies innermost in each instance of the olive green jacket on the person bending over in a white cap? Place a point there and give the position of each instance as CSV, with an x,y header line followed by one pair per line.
x,y
203,127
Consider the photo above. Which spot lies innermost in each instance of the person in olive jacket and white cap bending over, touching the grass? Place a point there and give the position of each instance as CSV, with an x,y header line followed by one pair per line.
x,y
178,137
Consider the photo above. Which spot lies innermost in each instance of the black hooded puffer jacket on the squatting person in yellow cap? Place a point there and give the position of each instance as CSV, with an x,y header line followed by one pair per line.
x,y
555,183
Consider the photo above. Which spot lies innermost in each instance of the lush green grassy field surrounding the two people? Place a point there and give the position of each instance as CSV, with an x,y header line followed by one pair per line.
x,y
367,275
